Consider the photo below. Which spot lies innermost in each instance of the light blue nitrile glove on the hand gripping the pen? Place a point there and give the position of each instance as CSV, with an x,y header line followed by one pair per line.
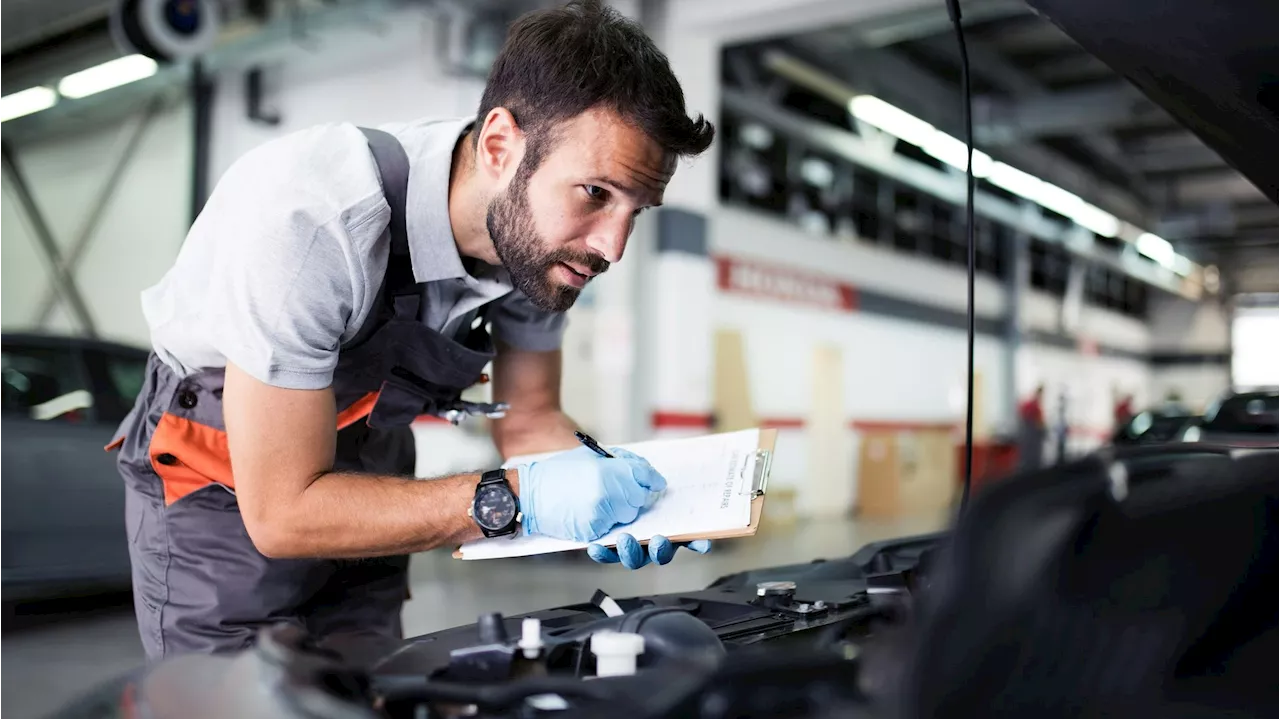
x,y
579,496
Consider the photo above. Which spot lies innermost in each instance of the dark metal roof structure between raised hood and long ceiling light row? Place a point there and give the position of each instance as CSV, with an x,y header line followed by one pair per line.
x,y
1052,109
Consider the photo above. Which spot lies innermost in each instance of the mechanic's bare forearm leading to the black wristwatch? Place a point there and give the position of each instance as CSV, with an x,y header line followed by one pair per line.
x,y
358,516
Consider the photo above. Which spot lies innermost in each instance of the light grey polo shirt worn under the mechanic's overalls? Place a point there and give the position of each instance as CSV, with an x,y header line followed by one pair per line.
x,y
285,263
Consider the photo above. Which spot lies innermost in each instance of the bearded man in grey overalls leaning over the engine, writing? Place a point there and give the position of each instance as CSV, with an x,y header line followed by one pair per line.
x,y
340,283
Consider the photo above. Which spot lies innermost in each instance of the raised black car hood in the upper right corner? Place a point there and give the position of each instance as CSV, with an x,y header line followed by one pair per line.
x,y
1213,65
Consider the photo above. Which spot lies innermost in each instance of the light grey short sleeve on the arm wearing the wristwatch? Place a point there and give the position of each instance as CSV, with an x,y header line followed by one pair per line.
x,y
285,286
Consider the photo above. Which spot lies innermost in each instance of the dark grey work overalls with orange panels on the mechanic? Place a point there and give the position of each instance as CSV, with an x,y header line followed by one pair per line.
x,y
199,583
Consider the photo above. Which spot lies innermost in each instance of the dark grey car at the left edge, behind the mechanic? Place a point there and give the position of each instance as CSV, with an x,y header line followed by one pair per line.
x,y
62,501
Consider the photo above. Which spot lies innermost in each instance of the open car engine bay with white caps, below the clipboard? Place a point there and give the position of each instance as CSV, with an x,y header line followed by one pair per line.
x,y
1136,581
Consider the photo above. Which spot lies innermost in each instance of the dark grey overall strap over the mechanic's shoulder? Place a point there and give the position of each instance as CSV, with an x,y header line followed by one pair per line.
x,y
399,287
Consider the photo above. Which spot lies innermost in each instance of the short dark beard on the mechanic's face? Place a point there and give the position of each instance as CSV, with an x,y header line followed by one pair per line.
x,y
523,251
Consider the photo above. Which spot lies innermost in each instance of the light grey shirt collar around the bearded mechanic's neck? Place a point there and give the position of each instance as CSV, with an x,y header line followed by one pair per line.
x,y
432,246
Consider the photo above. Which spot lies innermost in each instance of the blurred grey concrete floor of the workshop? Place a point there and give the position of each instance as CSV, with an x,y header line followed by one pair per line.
x,y
58,651
